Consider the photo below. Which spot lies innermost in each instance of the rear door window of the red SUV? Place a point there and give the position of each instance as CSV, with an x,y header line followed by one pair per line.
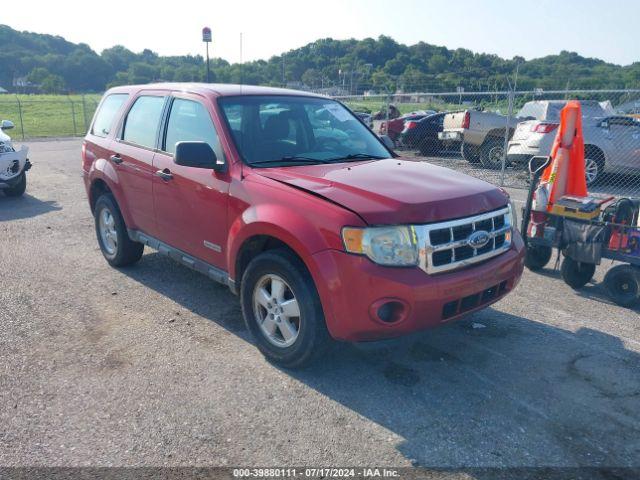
x,y
141,124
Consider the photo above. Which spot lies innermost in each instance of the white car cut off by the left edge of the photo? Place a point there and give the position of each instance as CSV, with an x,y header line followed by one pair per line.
x,y
14,164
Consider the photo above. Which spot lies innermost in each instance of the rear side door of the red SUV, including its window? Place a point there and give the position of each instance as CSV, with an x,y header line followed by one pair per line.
x,y
132,154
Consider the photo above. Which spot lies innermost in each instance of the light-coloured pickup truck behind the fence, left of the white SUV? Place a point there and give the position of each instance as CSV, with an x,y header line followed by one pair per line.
x,y
480,135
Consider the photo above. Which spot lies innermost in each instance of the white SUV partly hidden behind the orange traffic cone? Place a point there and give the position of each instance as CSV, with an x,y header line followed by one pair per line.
x,y
612,143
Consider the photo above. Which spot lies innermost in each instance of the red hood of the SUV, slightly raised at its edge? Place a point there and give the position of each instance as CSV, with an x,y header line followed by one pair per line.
x,y
393,191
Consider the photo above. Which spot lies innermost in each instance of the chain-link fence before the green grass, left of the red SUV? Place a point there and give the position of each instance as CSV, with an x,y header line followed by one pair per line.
x,y
48,115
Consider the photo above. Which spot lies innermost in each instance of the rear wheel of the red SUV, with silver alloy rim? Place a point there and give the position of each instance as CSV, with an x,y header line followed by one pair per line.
x,y
116,246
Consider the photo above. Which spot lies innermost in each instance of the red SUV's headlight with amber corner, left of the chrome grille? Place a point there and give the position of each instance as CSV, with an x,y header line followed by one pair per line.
x,y
391,246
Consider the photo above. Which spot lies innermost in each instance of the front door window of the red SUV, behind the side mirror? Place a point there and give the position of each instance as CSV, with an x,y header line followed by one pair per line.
x,y
190,121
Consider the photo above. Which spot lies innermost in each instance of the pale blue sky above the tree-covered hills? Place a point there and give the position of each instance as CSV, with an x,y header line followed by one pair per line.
x,y
602,29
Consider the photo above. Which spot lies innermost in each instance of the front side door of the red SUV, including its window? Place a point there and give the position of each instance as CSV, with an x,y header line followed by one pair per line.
x,y
191,204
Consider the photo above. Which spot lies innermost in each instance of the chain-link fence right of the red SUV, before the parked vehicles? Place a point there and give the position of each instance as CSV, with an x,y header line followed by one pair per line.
x,y
492,135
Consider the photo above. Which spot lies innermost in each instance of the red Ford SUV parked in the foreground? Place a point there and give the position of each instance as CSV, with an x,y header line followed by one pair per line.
x,y
291,201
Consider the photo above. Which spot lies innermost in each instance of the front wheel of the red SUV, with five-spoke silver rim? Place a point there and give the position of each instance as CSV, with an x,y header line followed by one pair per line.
x,y
271,280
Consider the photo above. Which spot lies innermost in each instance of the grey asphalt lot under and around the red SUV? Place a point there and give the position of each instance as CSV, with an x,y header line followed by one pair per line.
x,y
152,365
